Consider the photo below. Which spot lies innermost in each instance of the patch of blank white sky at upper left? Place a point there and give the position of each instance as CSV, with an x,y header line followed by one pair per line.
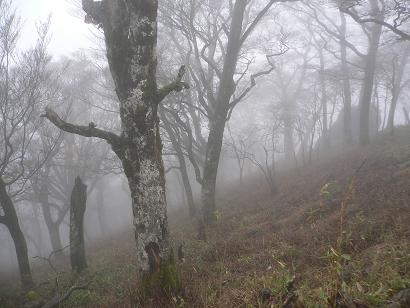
x,y
68,30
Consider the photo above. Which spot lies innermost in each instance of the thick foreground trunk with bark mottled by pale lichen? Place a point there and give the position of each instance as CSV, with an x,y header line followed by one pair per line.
x,y
130,29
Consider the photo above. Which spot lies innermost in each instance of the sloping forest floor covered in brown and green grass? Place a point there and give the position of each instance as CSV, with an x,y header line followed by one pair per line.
x,y
267,250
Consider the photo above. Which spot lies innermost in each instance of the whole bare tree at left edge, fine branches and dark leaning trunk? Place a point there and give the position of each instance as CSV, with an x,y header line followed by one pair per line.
x,y
24,81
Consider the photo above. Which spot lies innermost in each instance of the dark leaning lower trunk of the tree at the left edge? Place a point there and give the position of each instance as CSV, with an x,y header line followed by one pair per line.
x,y
10,220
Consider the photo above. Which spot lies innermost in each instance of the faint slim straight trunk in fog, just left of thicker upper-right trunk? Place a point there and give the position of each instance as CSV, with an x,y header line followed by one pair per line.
x,y
347,93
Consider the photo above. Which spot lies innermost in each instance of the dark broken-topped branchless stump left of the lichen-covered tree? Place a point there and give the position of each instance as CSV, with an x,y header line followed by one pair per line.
x,y
77,211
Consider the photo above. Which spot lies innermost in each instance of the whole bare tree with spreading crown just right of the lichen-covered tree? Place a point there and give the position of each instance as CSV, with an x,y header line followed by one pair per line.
x,y
216,35
